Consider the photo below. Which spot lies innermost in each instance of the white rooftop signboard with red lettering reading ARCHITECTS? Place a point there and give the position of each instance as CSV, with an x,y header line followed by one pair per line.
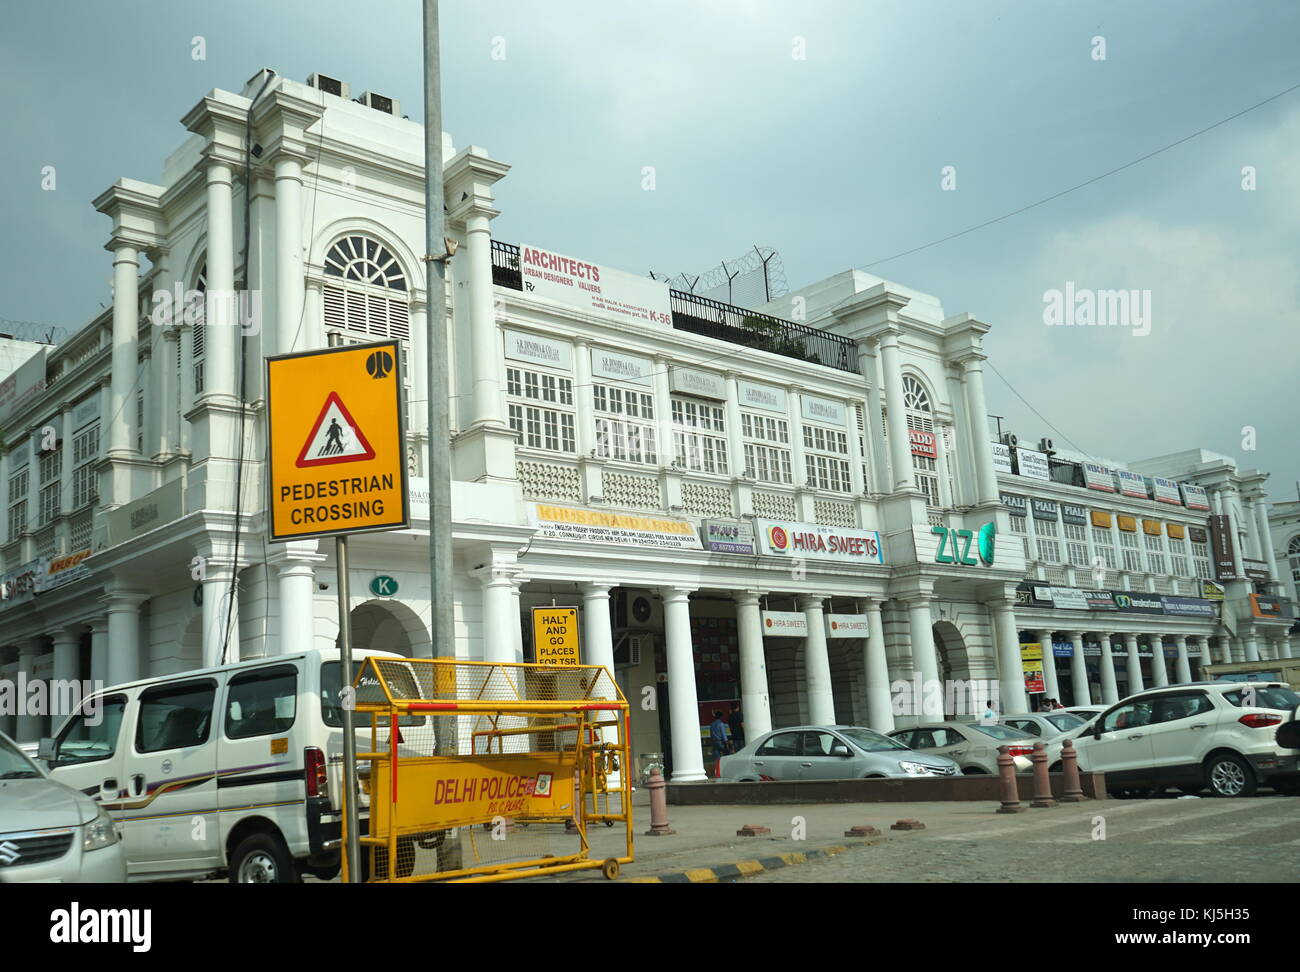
x,y
595,289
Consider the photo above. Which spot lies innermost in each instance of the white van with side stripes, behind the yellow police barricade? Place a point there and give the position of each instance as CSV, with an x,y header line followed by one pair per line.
x,y
233,770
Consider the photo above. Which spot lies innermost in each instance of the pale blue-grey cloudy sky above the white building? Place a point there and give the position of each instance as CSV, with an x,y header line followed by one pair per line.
x,y
820,128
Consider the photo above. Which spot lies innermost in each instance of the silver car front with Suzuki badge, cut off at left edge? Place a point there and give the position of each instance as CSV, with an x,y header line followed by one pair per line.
x,y
50,832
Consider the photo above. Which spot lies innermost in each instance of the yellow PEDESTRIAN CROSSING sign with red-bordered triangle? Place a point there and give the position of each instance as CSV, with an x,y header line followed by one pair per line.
x,y
335,436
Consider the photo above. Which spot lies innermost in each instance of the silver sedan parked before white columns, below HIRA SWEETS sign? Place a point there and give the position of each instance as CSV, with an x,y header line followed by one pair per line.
x,y
830,753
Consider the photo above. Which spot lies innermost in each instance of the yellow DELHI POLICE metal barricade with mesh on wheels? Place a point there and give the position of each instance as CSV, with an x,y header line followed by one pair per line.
x,y
489,773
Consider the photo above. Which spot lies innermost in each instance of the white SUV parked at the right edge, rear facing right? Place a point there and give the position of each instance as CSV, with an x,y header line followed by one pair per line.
x,y
1202,735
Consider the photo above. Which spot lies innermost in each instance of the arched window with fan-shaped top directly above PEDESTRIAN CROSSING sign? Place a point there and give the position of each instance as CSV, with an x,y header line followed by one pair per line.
x,y
366,298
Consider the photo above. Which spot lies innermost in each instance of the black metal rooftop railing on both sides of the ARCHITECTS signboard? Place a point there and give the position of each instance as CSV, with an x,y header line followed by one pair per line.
x,y
714,319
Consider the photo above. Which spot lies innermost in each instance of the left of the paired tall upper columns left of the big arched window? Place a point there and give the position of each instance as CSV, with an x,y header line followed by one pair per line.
x,y
220,339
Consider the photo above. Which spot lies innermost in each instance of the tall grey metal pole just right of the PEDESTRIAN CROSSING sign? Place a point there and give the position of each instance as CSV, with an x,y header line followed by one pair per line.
x,y
440,428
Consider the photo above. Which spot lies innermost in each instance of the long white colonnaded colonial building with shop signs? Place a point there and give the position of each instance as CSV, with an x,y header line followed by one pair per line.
x,y
795,507
